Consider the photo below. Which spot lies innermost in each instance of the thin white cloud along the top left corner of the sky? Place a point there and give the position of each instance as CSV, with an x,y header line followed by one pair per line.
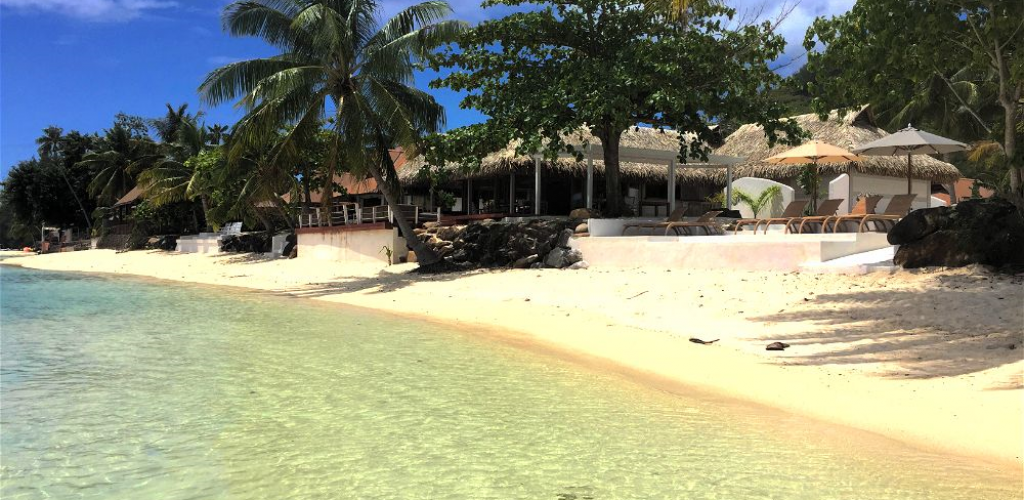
x,y
94,11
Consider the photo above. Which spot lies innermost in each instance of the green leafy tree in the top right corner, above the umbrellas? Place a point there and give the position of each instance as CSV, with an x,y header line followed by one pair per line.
x,y
889,53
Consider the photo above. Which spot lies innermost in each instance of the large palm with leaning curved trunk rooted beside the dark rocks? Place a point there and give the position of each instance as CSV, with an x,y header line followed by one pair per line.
x,y
340,65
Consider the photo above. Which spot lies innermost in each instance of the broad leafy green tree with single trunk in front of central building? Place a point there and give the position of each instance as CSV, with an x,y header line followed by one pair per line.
x,y
611,65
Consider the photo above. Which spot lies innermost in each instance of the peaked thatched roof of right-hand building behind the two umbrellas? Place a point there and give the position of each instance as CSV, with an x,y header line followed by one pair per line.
x,y
854,130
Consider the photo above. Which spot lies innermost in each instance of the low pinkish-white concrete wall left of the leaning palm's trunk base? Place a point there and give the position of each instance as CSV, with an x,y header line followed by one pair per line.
x,y
355,246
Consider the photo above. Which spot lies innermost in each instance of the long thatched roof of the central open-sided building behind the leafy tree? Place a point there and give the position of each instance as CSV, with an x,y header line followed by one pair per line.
x,y
504,162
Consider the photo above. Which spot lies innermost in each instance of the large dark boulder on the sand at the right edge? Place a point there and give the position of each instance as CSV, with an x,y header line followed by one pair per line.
x,y
974,232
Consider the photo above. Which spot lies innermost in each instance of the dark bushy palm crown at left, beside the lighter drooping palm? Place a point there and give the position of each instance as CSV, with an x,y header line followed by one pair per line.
x,y
122,158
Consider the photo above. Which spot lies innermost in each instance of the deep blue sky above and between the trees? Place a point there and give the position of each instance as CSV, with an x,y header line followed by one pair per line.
x,y
75,64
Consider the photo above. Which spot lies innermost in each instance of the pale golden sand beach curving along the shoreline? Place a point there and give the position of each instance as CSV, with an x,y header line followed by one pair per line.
x,y
933,359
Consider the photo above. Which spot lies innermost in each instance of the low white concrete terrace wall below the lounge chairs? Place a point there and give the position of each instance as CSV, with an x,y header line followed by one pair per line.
x,y
775,252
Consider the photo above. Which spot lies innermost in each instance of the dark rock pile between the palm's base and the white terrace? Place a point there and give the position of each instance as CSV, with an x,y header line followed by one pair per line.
x,y
535,243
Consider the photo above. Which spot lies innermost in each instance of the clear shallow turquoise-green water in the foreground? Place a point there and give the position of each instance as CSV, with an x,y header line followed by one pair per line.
x,y
116,389
